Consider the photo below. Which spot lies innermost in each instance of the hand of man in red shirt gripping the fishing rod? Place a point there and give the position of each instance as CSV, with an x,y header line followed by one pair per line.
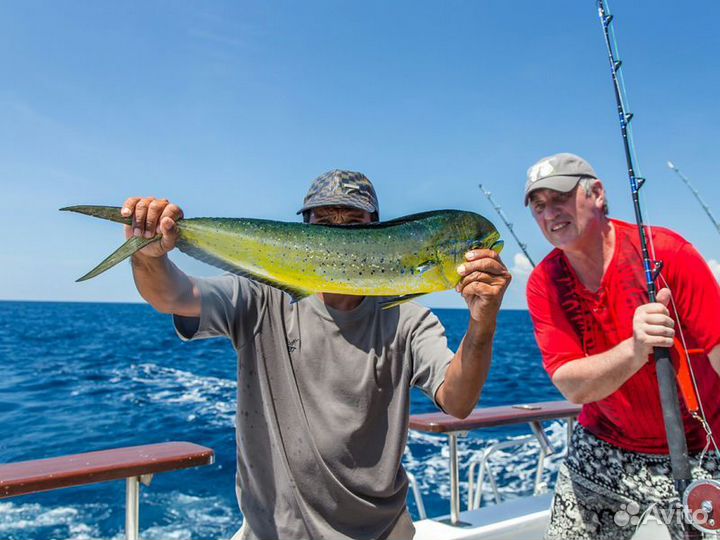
x,y
652,326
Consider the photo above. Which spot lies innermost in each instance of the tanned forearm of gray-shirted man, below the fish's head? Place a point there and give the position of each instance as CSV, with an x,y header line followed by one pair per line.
x,y
468,371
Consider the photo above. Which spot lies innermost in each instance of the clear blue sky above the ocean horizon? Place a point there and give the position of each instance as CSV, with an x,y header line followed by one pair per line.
x,y
232,108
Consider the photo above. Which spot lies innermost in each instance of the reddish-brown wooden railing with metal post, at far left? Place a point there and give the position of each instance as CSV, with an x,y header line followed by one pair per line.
x,y
135,464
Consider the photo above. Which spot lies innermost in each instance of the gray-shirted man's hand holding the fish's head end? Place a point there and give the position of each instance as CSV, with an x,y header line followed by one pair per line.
x,y
485,279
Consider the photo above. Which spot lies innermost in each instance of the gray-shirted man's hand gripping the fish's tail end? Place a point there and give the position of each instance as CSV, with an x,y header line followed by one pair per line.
x,y
151,216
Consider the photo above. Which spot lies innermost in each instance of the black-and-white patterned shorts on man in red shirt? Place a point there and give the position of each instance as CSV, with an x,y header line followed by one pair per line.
x,y
602,492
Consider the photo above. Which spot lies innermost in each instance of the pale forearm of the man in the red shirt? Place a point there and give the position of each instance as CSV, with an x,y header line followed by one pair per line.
x,y
593,378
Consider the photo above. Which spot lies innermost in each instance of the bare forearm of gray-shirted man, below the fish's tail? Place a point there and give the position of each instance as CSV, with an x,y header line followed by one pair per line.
x,y
164,286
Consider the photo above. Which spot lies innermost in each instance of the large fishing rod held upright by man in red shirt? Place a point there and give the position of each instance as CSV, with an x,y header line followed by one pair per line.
x,y
674,427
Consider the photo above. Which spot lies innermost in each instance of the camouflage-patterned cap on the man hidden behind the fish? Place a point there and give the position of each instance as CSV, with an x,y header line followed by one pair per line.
x,y
342,188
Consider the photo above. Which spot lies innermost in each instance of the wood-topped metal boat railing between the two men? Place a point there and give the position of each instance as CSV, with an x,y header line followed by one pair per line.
x,y
492,417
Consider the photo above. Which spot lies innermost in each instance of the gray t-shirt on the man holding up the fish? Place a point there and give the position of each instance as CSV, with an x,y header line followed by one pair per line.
x,y
323,405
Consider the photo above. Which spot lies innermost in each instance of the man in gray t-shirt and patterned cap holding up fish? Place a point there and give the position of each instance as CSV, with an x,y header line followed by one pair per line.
x,y
323,384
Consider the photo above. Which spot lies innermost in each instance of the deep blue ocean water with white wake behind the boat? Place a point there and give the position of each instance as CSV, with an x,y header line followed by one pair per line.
x,y
77,377
